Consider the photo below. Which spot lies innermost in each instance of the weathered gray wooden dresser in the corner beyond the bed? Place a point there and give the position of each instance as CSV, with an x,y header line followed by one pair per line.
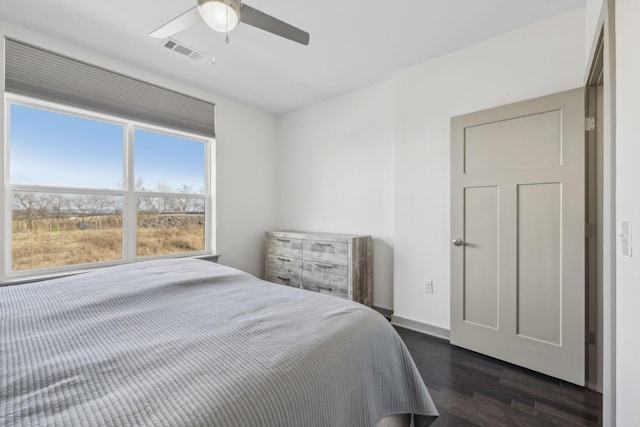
x,y
335,264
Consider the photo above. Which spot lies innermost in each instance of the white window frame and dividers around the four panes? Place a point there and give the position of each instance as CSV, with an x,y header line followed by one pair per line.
x,y
127,192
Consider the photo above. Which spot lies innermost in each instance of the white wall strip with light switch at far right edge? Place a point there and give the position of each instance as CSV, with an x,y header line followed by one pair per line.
x,y
627,208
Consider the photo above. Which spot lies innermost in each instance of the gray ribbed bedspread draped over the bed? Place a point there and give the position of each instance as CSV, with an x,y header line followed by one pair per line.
x,y
193,343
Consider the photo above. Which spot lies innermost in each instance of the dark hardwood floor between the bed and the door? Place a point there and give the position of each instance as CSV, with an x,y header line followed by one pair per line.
x,y
470,389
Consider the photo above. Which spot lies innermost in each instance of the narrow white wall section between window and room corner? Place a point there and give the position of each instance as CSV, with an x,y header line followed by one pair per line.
x,y
246,184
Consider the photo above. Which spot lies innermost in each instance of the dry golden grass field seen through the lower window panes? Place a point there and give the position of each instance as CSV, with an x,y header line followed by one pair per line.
x,y
46,245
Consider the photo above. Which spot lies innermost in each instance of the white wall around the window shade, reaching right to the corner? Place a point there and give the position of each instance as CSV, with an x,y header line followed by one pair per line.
x,y
246,149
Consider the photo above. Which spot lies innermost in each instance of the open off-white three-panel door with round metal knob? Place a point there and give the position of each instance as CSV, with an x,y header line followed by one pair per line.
x,y
518,215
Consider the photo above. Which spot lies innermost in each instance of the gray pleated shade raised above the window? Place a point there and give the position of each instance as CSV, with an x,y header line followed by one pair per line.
x,y
42,74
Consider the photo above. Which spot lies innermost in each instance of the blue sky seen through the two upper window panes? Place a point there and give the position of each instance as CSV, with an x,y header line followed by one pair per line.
x,y
53,149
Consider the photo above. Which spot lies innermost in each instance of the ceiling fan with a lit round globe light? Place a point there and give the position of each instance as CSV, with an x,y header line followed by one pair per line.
x,y
224,15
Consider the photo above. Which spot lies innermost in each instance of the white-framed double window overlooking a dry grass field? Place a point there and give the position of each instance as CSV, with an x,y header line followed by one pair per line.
x,y
90,189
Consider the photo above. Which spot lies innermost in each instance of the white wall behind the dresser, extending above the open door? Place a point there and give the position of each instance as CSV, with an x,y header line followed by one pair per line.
x,y
376,161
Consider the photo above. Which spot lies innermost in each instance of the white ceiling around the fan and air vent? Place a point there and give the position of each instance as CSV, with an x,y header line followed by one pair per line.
x,y
354,43
